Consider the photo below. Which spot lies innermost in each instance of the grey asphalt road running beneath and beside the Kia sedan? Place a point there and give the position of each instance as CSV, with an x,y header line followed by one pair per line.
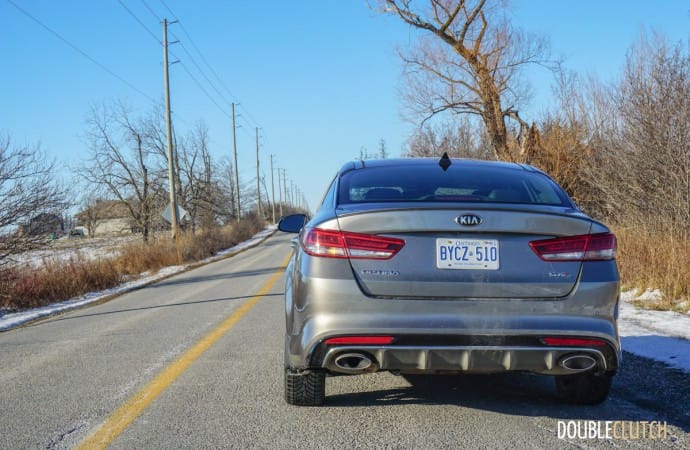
x,y
126,367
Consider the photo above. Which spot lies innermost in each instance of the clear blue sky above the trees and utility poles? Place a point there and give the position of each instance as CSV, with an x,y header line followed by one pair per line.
x,y
320,78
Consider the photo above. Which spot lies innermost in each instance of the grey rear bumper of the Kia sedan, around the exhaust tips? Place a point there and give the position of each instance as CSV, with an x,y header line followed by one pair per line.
x,y
451,336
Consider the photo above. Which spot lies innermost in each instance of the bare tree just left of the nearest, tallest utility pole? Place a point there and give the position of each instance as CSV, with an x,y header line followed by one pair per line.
x,y
124,165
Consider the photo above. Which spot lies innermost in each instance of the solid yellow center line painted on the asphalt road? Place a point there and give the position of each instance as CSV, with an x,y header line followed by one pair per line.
x,y
125,415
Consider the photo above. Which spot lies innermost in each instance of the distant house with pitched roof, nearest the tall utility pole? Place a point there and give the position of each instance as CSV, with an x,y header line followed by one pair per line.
x,y
106,218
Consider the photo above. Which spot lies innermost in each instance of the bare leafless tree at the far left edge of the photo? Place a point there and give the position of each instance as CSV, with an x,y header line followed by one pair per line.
x,y
27,188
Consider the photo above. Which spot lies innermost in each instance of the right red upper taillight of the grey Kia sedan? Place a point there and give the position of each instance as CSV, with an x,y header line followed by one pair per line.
x,y
586,247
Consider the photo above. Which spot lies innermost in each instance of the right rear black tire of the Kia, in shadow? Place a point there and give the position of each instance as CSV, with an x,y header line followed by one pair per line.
x,y
584,388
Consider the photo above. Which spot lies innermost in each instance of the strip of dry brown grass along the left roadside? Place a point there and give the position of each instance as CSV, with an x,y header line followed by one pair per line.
x,y
22,288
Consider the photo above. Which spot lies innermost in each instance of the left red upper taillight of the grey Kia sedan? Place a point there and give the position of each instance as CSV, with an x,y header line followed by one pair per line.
x,y
343,244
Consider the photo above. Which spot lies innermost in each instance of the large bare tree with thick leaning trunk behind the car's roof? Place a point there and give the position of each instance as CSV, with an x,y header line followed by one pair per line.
x,y
470,63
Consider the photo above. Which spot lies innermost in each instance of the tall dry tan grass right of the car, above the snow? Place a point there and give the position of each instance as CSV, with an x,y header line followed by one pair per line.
x,y
655,260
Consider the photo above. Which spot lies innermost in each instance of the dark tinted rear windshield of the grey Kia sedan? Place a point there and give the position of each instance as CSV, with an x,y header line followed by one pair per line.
x,y
458,184
